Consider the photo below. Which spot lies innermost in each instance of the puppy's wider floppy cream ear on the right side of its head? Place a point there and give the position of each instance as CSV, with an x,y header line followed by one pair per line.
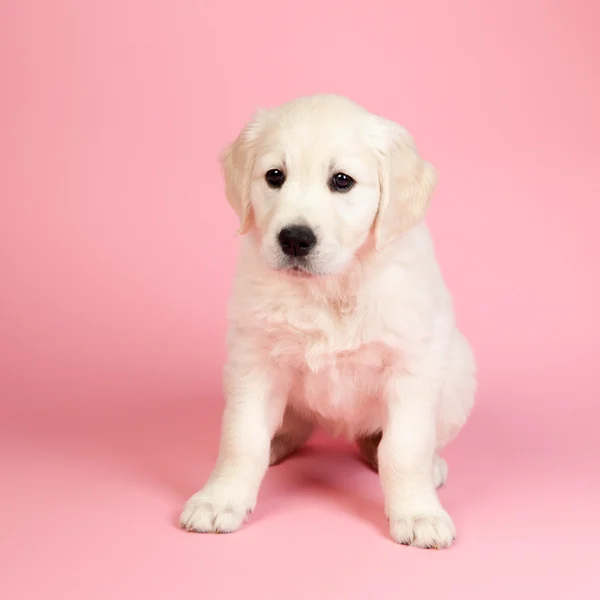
x,y
406,183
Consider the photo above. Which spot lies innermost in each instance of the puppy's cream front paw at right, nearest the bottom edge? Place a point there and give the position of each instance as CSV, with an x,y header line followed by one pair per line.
x,y
423,530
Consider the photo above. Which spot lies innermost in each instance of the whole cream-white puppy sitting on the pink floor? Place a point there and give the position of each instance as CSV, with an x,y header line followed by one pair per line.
x,y
340,316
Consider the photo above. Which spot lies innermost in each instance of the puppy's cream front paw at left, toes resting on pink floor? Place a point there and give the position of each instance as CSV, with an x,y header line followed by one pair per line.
x,y
212,511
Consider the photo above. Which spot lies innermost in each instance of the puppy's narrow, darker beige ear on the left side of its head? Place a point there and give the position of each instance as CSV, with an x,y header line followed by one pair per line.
x,y
237,161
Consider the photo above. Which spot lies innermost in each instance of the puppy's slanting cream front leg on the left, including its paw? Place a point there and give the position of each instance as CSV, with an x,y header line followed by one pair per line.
x,y
253,411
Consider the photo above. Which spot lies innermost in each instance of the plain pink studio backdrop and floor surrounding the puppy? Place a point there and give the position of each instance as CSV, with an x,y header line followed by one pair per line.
x,y
117,256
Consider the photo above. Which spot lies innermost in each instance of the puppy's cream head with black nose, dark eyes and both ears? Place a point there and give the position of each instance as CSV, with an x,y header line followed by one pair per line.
x,y
317,177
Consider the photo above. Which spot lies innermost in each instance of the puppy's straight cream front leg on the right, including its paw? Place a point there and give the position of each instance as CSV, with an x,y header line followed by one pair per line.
x,y
406,454
